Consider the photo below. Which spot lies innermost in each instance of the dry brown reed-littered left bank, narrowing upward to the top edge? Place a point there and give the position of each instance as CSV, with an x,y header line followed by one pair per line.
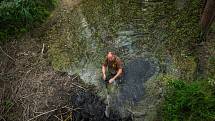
x,y
30,88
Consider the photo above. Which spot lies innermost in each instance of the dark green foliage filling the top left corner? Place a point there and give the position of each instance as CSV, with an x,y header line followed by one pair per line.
x,y
19,16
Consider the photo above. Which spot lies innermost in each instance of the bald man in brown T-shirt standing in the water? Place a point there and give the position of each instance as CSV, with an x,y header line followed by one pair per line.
x,y
114,66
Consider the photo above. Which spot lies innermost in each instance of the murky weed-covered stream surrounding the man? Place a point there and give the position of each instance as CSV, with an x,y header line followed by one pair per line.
x,y
125,27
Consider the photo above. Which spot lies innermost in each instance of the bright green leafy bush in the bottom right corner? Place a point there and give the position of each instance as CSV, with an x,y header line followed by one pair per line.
x,y
189,102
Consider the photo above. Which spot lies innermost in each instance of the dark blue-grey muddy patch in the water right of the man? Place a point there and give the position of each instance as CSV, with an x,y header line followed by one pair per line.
x,y
136,73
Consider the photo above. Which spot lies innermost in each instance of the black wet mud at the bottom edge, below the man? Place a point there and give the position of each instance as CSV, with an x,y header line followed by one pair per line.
x,y
91,108
